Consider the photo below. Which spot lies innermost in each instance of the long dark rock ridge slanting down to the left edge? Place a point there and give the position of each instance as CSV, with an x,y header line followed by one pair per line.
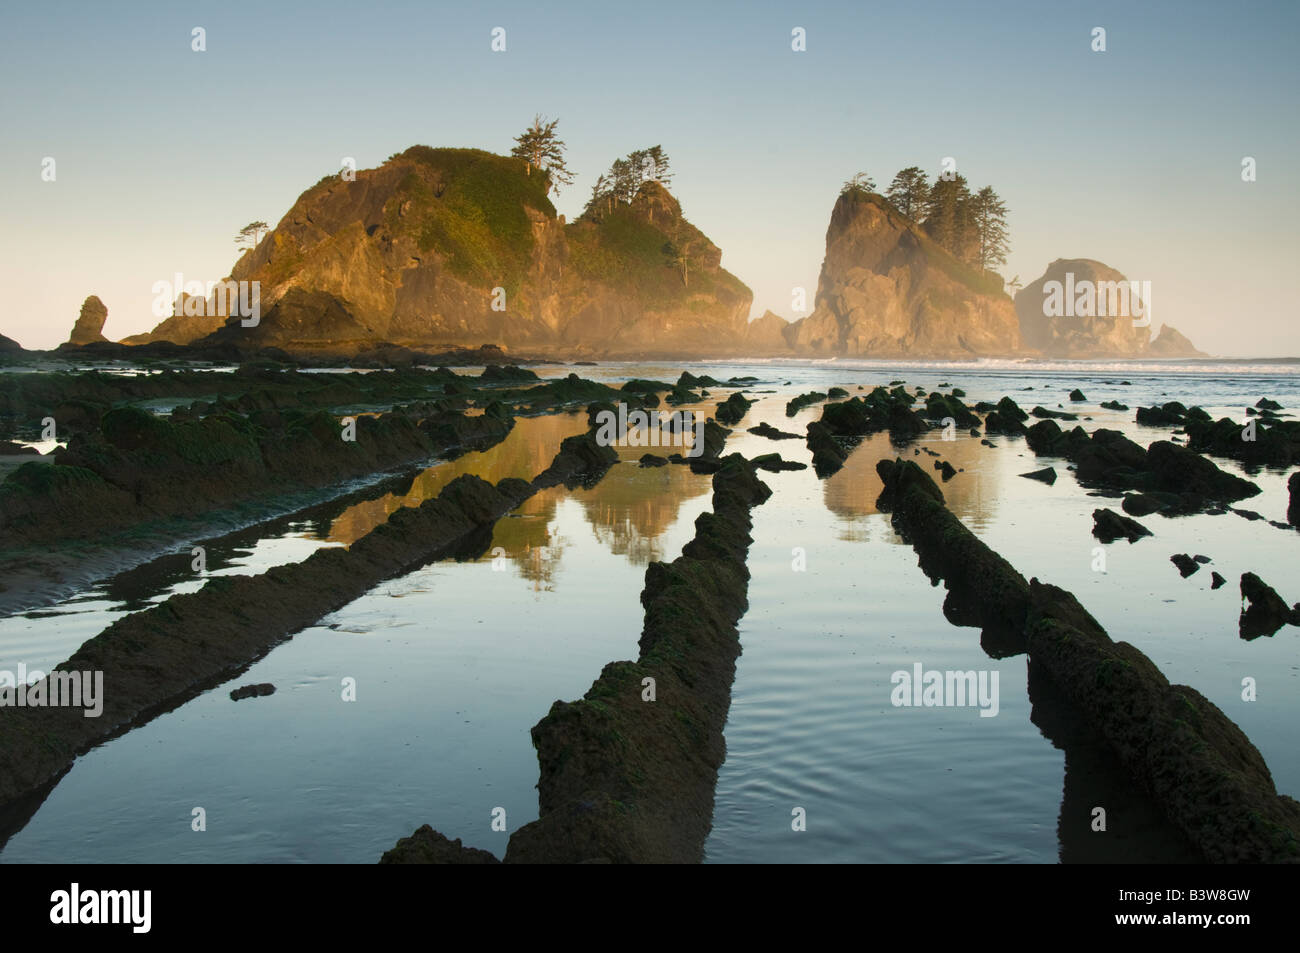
x,y
196,639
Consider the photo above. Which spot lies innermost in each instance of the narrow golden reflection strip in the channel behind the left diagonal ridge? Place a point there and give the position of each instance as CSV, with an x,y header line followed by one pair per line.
x,y
527,450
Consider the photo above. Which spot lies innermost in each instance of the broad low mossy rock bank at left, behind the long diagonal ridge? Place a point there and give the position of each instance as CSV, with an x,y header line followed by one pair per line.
x,y
133,467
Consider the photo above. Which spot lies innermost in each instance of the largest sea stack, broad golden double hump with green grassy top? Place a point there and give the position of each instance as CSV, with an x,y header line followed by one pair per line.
x,y
456,248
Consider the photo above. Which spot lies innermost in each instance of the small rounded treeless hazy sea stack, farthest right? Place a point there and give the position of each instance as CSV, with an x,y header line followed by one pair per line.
x,y
1082,309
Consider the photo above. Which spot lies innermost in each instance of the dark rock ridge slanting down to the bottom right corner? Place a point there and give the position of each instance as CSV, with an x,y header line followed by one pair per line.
x,y
1195,763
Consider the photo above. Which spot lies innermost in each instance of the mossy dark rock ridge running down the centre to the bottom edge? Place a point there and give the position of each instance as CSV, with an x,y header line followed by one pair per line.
x,y
631,781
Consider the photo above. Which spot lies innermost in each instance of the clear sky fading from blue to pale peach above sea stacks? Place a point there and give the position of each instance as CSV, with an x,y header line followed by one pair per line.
x,y
1132,157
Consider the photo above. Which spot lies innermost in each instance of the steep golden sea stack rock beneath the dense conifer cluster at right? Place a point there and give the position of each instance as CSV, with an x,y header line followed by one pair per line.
x,y
889,291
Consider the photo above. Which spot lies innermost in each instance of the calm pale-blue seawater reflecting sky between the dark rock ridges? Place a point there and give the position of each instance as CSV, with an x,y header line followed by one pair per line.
x,y
456,662
